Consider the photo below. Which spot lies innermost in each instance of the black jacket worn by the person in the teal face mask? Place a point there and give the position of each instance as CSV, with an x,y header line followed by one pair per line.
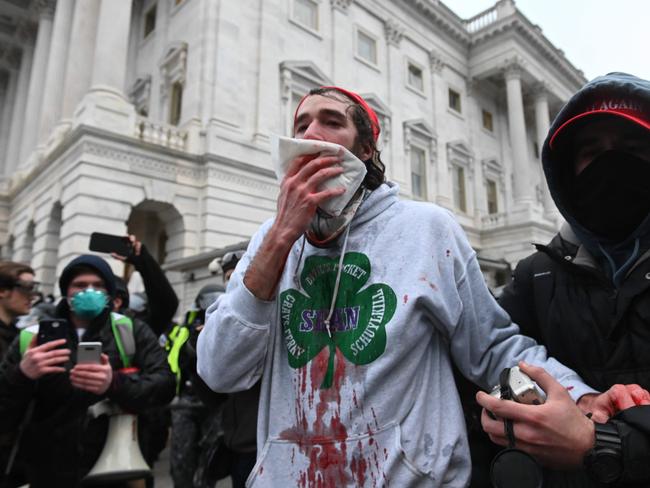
x,y
60,443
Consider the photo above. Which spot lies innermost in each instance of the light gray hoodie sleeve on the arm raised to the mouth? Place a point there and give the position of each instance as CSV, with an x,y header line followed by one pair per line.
x,y
232,346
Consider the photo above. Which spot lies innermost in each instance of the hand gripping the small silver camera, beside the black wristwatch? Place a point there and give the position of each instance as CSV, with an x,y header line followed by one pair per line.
x,y
557,432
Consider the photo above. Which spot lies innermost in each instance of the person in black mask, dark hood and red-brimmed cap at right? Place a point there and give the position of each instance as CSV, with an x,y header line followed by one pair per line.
x,y
586,294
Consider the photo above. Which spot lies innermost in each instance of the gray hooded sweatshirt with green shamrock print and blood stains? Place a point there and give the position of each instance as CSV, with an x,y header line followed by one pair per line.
x,y
375,404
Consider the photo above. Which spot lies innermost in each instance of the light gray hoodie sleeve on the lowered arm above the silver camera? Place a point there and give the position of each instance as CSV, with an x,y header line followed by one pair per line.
x,y
484,340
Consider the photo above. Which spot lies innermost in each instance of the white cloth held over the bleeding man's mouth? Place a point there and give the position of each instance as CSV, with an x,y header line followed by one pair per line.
x,y
286,149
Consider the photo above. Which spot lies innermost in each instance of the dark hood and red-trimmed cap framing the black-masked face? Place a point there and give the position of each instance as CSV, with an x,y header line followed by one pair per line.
x,y
612,95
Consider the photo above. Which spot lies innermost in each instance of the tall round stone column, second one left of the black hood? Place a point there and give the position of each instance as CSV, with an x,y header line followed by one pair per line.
x,y
523,191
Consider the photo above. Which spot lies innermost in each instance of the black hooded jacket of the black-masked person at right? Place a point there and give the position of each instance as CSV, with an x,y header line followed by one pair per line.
x,y
564,297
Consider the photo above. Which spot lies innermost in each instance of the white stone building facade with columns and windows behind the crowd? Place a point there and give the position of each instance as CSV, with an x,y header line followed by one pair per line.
x,y
153,116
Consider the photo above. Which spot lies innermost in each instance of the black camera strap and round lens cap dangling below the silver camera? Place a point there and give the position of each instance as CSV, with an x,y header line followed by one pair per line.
x,y
512,467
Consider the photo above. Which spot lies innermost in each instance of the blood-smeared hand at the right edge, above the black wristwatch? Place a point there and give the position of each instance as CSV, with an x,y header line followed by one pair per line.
x,y
619,397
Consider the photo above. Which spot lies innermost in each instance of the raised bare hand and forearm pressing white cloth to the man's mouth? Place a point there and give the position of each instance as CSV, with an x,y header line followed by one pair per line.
x,y
297,203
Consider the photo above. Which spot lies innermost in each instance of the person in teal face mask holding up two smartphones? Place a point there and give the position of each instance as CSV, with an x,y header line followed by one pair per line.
x,y
58,432
